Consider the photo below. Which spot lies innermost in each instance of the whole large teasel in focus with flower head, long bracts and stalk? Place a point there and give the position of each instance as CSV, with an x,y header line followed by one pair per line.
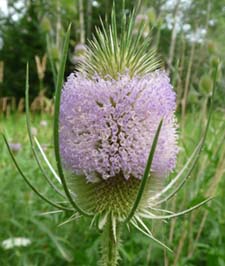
x,y
115,138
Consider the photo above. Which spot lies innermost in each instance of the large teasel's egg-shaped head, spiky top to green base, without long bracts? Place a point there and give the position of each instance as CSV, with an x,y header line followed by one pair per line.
x,y
109,116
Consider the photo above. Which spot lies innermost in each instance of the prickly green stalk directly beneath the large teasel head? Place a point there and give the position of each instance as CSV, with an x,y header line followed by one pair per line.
x,y
109,244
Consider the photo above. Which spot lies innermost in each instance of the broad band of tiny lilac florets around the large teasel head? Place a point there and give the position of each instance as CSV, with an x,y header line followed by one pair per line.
x,y
107,126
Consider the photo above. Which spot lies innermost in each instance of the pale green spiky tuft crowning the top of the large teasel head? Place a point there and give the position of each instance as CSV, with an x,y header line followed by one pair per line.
x,y
117,50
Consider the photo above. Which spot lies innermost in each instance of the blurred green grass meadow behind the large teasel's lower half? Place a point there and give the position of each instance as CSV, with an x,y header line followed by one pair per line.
x,y
76,244
